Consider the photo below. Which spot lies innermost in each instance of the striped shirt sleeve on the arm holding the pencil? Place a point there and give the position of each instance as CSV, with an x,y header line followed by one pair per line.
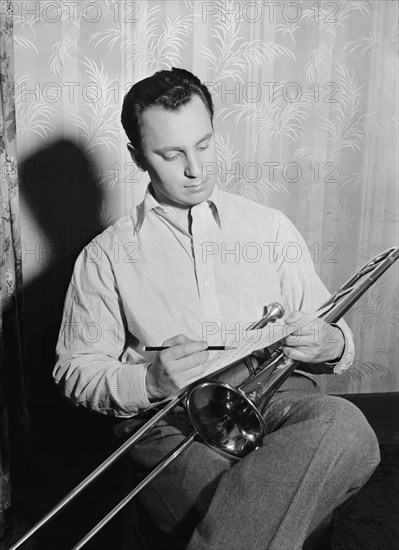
x,y
92,367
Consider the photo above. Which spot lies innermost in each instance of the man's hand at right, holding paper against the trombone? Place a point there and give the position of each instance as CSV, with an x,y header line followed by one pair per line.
x,y
317,342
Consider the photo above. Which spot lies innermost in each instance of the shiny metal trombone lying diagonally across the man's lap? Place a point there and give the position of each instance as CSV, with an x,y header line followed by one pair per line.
x,y
227,408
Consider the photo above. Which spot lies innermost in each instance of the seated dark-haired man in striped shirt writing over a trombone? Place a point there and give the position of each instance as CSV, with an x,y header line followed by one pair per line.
x,y
174,272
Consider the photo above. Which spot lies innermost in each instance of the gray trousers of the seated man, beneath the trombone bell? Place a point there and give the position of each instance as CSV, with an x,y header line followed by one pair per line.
x,y
320,454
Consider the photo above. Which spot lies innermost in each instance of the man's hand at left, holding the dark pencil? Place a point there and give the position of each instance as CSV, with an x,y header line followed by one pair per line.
x,y
175,367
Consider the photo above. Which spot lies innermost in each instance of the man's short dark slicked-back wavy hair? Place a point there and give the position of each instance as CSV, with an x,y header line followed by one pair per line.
x,y
168,89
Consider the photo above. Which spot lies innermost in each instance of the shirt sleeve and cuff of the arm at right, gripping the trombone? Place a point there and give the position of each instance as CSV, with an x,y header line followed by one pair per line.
x,y
303,289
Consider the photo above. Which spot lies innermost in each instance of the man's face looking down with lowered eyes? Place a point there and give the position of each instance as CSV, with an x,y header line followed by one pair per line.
x,y
179,153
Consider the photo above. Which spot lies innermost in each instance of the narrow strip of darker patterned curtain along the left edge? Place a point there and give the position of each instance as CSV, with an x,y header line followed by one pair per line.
x,y
12,392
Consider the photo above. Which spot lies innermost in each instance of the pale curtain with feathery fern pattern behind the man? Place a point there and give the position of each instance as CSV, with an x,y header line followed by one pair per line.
x,y
306,97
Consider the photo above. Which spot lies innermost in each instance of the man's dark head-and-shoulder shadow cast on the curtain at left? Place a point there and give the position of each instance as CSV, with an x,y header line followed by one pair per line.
x,y
64,196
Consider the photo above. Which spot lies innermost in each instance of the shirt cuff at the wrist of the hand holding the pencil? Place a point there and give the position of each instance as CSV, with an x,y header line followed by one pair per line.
x,y
132,387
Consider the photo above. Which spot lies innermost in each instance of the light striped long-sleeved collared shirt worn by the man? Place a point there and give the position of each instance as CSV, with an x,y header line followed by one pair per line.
x,y
146,279
